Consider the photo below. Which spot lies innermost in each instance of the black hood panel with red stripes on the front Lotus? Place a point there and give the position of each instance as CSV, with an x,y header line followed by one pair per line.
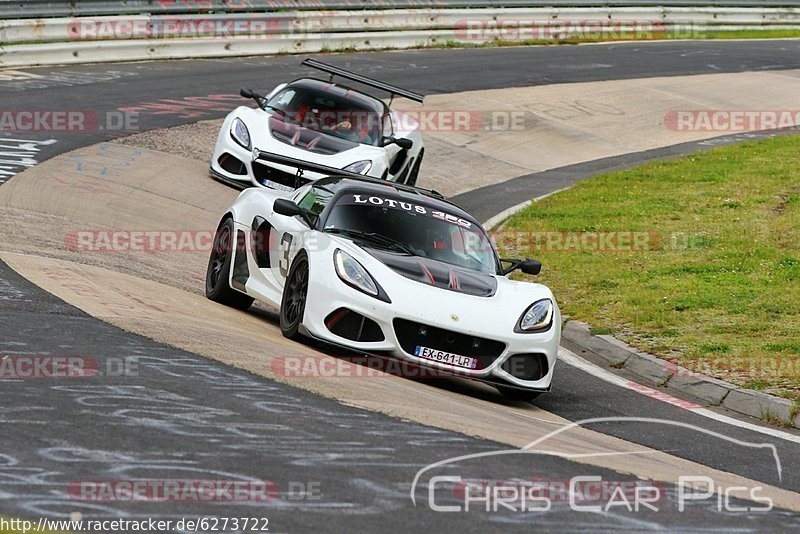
x,y
436,273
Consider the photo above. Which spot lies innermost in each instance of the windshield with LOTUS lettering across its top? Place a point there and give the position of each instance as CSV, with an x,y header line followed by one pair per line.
x,y
402,226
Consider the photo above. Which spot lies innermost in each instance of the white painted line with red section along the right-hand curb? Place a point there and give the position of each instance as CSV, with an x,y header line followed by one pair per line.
x,y
570,358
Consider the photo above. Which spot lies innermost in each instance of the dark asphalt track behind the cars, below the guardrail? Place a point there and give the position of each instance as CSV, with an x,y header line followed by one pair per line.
x,y
104,88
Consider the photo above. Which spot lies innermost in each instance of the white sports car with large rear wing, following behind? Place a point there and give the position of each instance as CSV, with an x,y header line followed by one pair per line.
x,y
319,122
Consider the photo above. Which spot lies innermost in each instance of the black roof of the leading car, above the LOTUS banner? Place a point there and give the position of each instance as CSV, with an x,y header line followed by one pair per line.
x,y
430,199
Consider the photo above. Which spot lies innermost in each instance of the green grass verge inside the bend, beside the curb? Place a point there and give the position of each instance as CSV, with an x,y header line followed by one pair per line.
x,y
715,284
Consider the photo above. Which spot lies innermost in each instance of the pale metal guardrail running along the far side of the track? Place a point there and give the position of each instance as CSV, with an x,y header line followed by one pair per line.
x,y
235,32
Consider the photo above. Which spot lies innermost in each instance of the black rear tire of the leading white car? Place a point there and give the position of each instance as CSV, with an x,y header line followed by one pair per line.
x,y
219,267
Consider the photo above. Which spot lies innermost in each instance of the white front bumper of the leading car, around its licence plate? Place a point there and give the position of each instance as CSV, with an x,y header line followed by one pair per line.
x,y
328,294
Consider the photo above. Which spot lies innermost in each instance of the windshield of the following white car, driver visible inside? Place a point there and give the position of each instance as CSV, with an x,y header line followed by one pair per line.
x,y
328,112
